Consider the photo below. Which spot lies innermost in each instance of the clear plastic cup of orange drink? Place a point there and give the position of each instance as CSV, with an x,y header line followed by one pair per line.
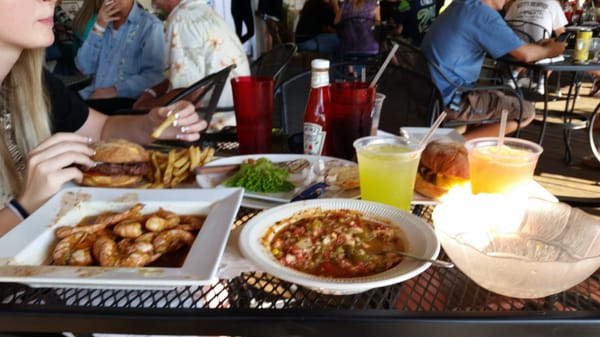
x,y
506,169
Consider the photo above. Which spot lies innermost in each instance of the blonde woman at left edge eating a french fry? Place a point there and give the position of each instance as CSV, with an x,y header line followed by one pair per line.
x,y
47,129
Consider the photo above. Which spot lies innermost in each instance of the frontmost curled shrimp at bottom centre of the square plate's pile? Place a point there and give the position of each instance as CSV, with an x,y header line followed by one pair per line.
x,y
110,254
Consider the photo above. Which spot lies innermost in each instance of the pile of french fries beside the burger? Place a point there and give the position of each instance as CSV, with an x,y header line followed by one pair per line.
x,y
176,166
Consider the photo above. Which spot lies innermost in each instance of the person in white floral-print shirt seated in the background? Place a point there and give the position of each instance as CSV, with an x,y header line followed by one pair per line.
x,y
200,43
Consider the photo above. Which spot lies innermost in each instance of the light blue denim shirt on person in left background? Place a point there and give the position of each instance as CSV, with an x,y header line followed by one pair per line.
x,y
131,58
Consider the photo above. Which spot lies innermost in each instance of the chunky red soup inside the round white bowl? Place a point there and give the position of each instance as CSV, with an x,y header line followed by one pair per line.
x,y
336,243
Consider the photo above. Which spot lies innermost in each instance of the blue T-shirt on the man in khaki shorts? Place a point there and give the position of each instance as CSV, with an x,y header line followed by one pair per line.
x,y
459,39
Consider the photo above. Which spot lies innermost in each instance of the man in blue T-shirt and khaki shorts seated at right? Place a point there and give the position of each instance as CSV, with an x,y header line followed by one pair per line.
x,y
479,30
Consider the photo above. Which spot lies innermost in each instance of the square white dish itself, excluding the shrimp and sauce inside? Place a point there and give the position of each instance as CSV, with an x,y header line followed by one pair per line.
x,y
25,250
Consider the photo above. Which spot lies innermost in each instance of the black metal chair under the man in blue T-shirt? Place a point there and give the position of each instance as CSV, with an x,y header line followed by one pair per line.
x,y
411,59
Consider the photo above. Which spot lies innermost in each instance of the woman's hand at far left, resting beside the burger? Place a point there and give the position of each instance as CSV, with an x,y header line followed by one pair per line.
x,y
49,166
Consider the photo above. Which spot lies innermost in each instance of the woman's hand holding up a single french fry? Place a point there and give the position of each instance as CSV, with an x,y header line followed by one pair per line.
x,y
187,125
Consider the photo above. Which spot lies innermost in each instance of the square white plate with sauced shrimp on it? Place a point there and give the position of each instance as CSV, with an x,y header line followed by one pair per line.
x,y
177,252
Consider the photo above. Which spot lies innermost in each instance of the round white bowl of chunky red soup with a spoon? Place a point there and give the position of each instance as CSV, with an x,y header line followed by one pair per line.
x,y
337,254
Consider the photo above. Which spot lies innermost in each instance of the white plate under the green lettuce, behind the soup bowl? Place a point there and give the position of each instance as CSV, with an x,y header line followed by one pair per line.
x,y
303,171
